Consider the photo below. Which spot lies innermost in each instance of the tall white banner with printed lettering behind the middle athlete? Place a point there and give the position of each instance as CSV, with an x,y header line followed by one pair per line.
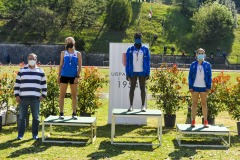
x,y
119,86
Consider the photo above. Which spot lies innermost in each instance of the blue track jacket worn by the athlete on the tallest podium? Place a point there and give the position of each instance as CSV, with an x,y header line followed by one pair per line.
x,y
129,61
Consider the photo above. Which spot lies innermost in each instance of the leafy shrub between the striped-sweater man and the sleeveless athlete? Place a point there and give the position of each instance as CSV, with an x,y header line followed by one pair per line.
x,y
50,106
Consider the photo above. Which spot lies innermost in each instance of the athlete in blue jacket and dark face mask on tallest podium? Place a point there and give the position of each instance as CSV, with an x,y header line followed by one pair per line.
x,y
137,67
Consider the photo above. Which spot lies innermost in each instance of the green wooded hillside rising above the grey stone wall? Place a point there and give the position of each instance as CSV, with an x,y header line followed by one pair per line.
x,y
87,20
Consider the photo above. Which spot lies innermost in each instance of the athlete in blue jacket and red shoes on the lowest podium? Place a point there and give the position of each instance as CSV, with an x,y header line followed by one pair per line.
x,y
200,82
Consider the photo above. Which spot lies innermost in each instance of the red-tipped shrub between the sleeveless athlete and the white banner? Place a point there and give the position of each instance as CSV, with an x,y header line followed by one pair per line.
x,y
88,87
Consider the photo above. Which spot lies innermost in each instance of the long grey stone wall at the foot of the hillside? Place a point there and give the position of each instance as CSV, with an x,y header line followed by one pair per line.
x,y
51,53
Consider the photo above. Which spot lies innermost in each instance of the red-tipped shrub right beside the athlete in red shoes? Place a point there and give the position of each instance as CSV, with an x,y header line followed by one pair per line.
x,y
216,97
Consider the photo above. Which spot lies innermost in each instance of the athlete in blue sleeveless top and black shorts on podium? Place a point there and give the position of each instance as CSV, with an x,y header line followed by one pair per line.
x,y
69,73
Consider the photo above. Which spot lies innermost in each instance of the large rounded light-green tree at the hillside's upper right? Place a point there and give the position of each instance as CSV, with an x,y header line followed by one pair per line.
x,y
212,23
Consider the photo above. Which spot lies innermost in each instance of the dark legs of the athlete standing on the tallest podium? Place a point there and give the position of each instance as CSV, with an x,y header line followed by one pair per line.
x,y
133,82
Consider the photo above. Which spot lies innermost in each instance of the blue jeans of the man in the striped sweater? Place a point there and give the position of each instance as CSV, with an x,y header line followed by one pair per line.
x,y
34,104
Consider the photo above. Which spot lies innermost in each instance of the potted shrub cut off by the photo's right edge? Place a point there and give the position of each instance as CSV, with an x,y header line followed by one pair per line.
x,y
233,103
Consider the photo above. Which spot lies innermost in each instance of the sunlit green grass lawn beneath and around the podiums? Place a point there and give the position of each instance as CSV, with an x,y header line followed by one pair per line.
x,y
102,148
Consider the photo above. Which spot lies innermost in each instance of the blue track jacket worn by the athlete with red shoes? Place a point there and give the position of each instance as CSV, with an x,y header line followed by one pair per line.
x,y
207,74
